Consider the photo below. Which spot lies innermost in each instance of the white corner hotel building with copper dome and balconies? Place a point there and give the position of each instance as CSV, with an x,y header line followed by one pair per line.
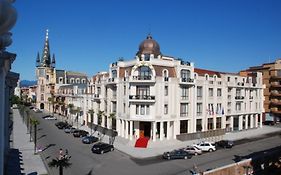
x,y
161,97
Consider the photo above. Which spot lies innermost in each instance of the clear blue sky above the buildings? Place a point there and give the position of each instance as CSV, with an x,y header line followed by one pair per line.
x,y
88,35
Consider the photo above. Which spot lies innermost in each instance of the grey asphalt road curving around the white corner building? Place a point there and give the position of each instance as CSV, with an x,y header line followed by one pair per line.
x,y
84,162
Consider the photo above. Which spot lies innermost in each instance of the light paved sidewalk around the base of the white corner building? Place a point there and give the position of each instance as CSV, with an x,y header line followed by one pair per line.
x,y
158,147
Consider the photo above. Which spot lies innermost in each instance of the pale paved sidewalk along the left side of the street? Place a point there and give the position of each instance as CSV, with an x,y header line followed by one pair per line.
x,y
29,163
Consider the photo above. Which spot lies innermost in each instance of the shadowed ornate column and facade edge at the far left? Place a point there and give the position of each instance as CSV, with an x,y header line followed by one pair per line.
x,y
8,79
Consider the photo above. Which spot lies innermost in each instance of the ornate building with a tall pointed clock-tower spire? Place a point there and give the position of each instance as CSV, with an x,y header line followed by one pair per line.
x,y
49,79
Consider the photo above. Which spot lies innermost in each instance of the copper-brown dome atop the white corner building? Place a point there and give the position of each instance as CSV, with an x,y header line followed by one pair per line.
x,y
149,46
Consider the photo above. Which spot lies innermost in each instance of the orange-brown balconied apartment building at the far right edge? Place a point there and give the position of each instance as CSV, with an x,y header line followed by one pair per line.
x,y
272,93
